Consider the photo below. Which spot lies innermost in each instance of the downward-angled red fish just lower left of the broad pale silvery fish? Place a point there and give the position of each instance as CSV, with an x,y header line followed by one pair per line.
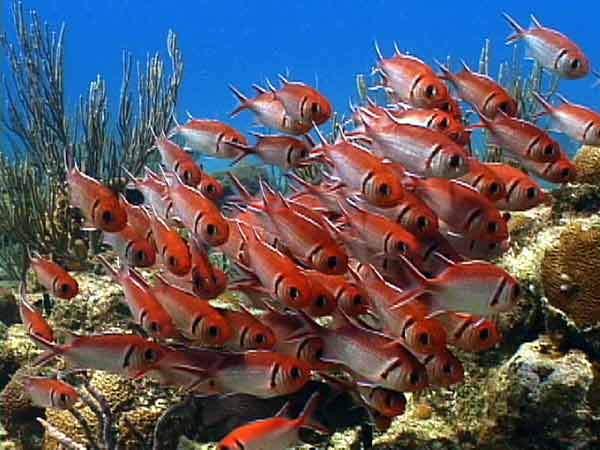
x,y
409,321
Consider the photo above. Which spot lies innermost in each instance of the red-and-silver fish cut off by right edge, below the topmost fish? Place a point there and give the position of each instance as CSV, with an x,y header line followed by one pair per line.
x,y
578,122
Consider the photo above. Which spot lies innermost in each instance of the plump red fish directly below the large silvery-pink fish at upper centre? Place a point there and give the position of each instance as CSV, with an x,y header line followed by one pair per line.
x,y
362,171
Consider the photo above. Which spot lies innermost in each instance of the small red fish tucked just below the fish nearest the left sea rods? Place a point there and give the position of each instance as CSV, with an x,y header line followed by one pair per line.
x,y
131,247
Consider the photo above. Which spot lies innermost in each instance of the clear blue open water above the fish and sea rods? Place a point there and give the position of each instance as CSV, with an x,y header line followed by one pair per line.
x,y
320,42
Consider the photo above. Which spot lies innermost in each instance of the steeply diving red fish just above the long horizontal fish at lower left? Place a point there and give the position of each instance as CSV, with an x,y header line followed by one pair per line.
x,y
144,307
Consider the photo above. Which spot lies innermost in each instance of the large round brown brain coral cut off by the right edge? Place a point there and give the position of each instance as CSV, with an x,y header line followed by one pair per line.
x,y
571,273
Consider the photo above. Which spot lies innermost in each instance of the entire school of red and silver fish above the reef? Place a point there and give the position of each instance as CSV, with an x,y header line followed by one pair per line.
x,y
393,244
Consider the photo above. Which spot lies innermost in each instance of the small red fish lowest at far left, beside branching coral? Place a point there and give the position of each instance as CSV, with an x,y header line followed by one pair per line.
x,y
49,393
